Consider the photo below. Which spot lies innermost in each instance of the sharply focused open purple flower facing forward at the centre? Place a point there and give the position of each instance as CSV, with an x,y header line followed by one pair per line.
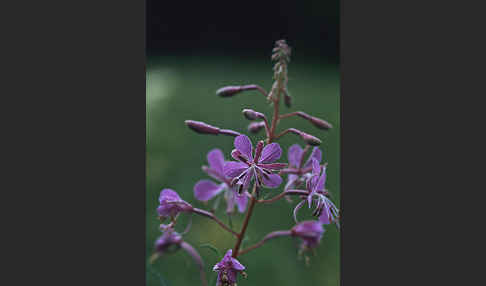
x,y
260,167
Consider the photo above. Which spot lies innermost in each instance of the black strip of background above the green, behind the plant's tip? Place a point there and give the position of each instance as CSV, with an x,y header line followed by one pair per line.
x,y
242,28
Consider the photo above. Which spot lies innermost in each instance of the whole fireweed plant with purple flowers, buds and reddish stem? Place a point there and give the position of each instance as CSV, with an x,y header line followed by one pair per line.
x,y
253,169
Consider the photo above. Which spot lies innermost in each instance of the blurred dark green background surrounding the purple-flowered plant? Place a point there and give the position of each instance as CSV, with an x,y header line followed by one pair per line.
x,y
180,88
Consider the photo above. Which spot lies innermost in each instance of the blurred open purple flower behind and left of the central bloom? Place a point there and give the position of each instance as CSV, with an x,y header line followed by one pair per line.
x,y
204,190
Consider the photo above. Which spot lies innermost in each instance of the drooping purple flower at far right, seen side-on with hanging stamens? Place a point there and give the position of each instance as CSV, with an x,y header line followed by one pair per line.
x,y
325,209
